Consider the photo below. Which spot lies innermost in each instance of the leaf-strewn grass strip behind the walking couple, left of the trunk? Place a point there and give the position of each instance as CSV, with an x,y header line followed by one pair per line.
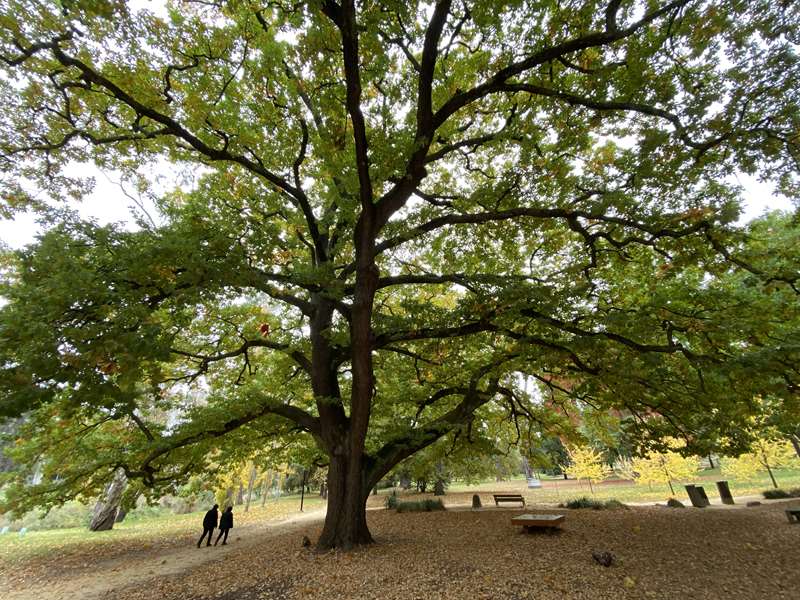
x,y
138,534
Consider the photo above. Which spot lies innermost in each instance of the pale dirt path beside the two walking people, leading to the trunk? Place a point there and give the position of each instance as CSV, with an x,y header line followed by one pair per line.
x,y
105,577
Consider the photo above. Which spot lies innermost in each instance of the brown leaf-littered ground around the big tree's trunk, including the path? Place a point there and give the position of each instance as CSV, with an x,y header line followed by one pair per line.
x,y
749,553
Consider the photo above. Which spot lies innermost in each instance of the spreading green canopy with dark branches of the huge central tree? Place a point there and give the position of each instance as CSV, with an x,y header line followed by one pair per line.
x,y
398,206
